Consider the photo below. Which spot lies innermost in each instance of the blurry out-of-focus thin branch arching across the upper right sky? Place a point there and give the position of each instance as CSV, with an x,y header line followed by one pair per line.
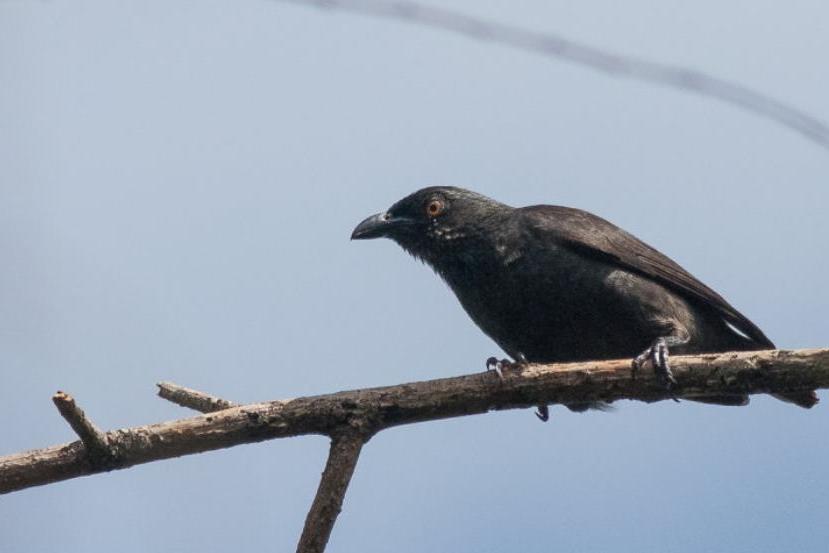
x,y
554,46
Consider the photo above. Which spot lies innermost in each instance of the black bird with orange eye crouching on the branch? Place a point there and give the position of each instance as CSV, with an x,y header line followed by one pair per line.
x,y
556,284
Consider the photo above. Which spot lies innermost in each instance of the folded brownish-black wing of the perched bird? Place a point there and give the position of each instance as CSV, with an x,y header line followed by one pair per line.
x,y
592,235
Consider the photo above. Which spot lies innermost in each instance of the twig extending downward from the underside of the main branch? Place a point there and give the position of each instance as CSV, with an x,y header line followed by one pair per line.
x,y
342,458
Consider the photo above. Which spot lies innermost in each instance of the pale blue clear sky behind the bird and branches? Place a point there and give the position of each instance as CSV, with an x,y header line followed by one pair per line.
x,y
178,183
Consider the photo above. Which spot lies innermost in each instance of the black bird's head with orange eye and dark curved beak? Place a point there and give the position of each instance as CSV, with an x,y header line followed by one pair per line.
x,y
433,221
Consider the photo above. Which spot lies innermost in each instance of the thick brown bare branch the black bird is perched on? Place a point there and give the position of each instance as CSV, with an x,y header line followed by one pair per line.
x,y
375,409
